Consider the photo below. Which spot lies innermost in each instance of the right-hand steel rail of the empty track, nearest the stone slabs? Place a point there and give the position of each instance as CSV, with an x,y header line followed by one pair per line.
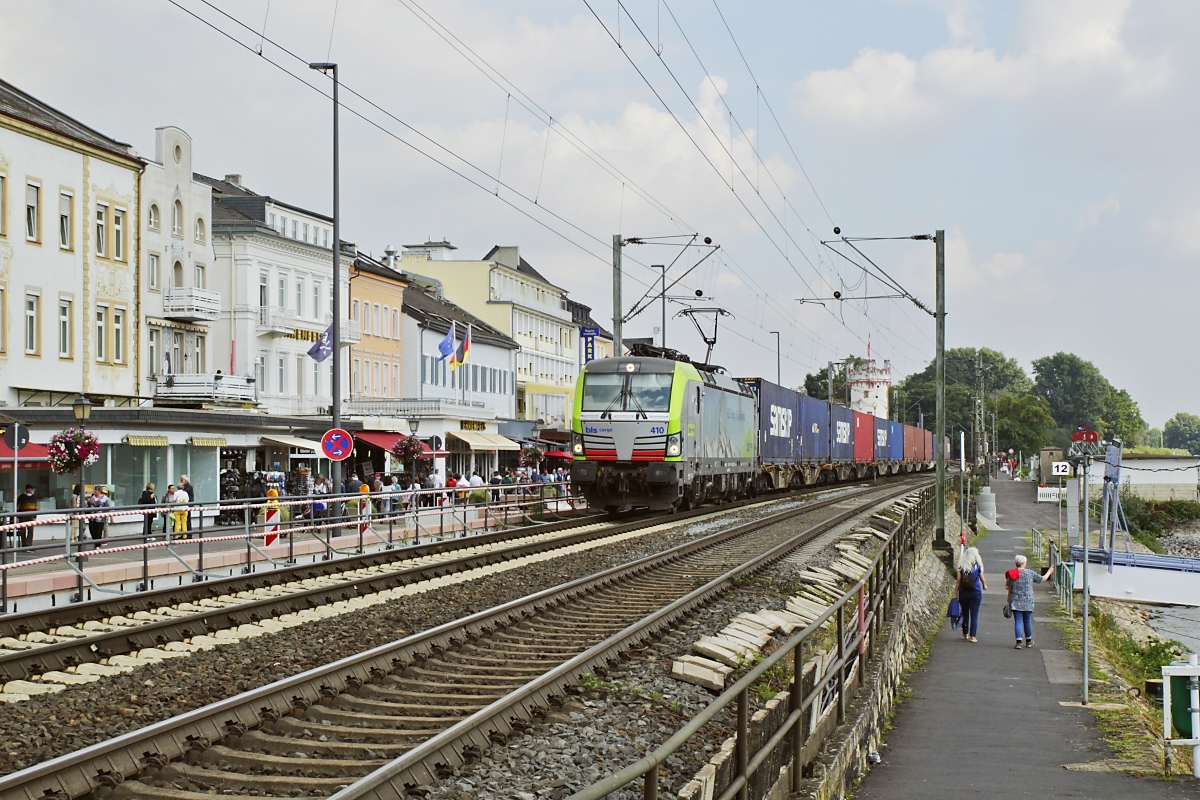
x,y
437,757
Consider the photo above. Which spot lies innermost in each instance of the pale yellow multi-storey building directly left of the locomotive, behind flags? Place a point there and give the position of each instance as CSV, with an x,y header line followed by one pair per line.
x,y
507,292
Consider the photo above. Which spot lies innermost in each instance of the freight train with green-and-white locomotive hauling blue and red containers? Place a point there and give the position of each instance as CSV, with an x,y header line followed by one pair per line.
x,y
667,434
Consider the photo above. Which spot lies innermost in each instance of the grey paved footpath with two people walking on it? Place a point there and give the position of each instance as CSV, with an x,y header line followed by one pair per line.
x,y
986,719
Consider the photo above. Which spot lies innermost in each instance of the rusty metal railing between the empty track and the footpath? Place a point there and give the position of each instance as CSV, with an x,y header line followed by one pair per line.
x,y
857,617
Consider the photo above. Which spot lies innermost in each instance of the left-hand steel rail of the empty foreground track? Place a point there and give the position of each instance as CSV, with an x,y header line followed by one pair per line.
x,y
111,762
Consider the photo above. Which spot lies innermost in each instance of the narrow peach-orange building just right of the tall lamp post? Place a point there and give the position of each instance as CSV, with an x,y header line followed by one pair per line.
x,y
376,299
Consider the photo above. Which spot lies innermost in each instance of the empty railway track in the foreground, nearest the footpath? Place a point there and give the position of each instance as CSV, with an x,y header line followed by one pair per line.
x,y
410,712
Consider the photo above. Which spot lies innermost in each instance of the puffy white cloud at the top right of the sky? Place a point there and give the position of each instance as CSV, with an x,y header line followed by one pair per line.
x,y
1064,46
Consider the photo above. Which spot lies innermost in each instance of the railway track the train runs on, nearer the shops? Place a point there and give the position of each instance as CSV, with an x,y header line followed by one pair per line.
x,y
56,647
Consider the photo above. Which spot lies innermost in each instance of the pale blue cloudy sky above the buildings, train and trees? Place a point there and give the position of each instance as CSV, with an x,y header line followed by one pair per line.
x,y
1053,142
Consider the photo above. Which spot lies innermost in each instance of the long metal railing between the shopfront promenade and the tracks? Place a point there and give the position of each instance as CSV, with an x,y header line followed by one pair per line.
x,y
189,533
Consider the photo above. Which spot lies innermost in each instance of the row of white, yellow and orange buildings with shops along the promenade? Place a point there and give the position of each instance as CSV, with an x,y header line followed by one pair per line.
x,y
184,308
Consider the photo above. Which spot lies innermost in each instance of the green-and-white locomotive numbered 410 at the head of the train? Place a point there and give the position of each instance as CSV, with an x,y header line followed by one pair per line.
x,y
663,435
